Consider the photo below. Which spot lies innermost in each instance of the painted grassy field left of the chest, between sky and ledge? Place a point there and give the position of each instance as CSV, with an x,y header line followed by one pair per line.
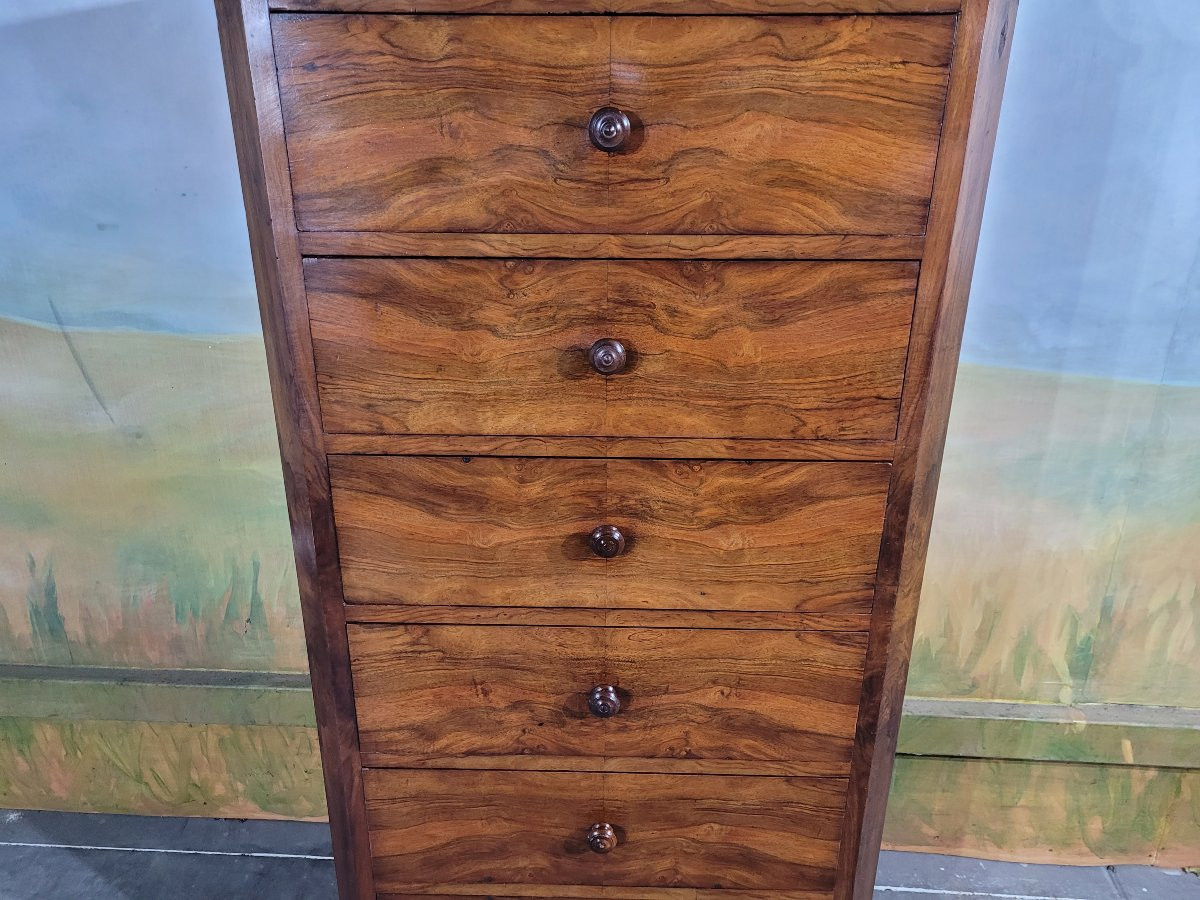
x,y
147,527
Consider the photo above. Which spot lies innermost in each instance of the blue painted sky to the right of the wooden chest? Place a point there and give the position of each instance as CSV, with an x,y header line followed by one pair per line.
x,y
1090,257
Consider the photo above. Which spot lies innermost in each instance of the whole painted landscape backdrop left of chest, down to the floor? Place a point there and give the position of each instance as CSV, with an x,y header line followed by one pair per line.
x,y
146,562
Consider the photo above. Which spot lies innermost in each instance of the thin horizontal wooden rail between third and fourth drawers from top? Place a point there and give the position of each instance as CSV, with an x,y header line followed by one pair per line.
x,y
392,615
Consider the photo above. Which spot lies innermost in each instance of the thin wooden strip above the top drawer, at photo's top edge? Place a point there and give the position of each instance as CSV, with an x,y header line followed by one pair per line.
x,y
676,8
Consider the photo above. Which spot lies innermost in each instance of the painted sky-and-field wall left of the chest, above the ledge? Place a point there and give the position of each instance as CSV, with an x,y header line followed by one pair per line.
x,y
142,514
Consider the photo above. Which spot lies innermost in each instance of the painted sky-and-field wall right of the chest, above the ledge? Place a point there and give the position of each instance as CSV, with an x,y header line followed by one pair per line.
x,y
1064,563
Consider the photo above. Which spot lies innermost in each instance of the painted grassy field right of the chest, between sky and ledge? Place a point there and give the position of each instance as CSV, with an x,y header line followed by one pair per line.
x,y
1066,550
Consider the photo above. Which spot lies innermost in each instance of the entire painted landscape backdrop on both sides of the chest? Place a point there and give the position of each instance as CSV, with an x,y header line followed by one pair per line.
x,y
152,657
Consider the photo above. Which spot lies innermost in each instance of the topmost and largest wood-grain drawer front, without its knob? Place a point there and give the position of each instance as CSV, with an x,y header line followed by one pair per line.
x,y
755,125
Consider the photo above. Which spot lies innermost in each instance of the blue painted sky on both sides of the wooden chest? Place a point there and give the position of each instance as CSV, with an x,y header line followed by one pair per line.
x,y
119,195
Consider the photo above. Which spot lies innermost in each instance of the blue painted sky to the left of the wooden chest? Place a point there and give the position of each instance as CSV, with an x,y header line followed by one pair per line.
x,y
119,193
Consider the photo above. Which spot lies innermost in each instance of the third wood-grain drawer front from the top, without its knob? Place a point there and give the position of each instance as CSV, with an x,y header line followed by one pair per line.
x,y
700,536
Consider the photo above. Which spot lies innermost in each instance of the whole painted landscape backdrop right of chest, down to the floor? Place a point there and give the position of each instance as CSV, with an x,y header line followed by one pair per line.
x,y
1066,551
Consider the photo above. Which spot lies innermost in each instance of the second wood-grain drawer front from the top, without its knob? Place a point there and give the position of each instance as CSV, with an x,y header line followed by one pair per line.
x,y
713,350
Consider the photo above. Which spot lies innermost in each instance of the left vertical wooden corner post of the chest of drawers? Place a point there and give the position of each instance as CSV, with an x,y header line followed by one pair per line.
x,y
245,32
